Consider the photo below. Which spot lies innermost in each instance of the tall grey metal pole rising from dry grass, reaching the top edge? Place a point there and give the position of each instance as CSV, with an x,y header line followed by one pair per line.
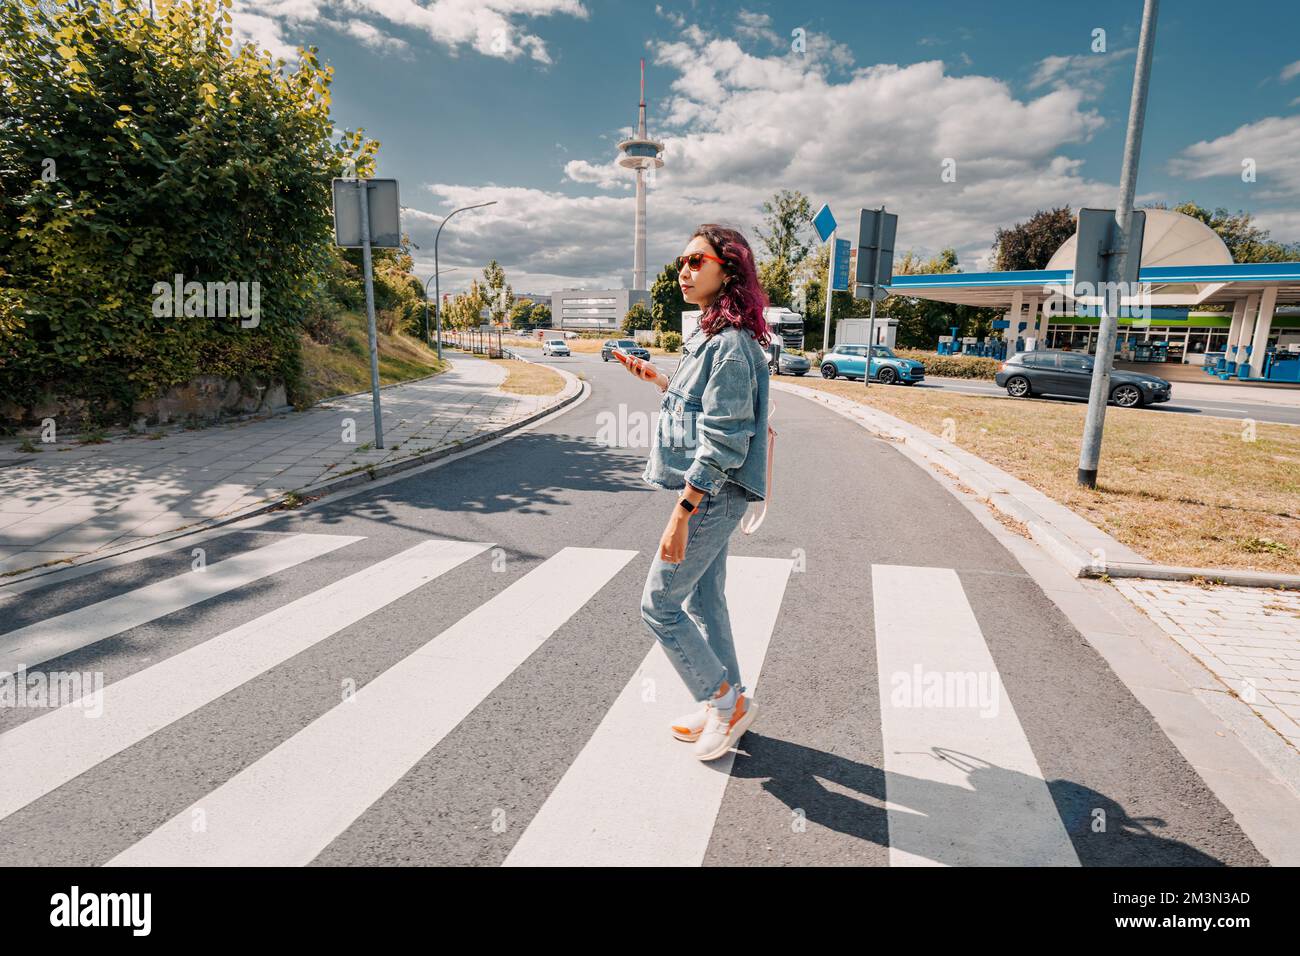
x,y
1099,393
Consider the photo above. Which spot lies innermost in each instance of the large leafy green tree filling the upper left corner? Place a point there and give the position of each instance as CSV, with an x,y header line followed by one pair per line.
x,y
135,149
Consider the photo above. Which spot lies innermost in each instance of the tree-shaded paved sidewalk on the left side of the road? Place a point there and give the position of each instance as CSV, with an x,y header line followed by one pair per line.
x,y
73,500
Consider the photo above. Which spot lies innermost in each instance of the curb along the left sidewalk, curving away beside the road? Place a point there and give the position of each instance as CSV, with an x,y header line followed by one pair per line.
x,y
571,392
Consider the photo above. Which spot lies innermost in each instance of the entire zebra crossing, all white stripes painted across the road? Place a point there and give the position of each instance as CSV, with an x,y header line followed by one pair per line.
x,y
631,797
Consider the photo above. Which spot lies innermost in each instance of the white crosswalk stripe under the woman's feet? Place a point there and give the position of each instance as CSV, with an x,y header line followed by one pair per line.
x,y
635,797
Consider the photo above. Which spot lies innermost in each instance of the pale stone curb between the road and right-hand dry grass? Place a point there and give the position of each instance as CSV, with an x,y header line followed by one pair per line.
x,y
1007,495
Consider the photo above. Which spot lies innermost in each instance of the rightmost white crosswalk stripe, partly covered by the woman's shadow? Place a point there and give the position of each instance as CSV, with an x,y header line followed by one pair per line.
x,y
963,785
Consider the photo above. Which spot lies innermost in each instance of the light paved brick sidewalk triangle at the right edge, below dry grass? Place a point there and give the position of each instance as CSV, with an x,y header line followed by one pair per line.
x,y
1250,639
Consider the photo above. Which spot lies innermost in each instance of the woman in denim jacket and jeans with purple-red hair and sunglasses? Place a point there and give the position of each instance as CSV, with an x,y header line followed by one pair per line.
x,y
712,444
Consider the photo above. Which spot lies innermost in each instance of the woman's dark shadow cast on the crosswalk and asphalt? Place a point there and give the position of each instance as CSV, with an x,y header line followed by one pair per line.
x,y
989,811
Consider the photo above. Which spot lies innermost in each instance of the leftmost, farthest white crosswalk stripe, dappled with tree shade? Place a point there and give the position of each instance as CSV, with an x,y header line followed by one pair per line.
x,y
53,638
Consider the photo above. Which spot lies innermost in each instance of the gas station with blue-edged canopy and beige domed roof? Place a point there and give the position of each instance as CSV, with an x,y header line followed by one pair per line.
x,y
1240,321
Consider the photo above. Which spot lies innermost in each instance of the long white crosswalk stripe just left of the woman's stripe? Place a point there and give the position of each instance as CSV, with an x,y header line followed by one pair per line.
x,y
289,806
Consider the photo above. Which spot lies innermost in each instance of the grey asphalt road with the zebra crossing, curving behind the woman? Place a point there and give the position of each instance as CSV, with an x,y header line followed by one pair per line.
x,y
495,698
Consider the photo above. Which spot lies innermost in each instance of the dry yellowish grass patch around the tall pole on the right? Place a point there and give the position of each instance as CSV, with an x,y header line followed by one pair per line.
x,y
1180,490
